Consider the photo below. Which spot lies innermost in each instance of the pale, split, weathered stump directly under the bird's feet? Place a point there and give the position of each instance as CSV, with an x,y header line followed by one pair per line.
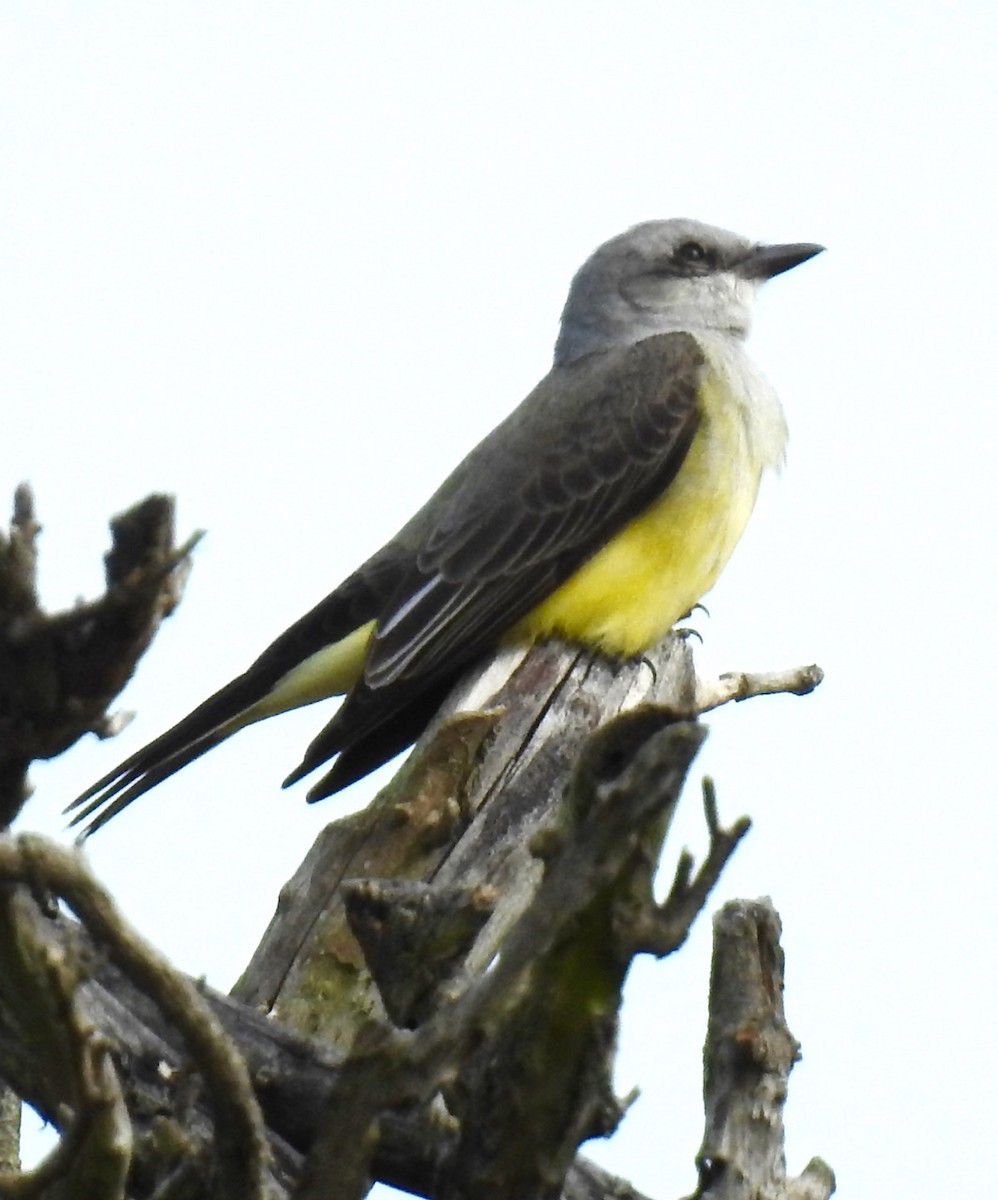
x,y
456,815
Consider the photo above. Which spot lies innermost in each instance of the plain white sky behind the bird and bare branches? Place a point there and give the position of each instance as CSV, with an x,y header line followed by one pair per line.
x,y
290,261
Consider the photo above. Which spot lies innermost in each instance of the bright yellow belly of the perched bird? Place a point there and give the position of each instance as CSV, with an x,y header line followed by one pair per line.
x,y
630,593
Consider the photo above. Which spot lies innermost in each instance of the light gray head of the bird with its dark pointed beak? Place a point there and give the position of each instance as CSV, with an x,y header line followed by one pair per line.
x,y
665,277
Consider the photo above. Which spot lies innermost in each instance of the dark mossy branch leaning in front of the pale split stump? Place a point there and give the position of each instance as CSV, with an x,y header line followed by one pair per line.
x,y
524,1053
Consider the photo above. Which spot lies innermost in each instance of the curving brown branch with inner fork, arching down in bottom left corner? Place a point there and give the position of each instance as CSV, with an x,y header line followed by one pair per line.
x,y
44,1006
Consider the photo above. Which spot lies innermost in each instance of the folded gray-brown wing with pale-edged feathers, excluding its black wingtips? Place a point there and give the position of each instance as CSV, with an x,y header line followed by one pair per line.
x,y
587,452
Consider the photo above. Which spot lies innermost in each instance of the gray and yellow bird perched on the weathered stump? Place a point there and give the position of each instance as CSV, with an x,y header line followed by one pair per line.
x,y
600,511
